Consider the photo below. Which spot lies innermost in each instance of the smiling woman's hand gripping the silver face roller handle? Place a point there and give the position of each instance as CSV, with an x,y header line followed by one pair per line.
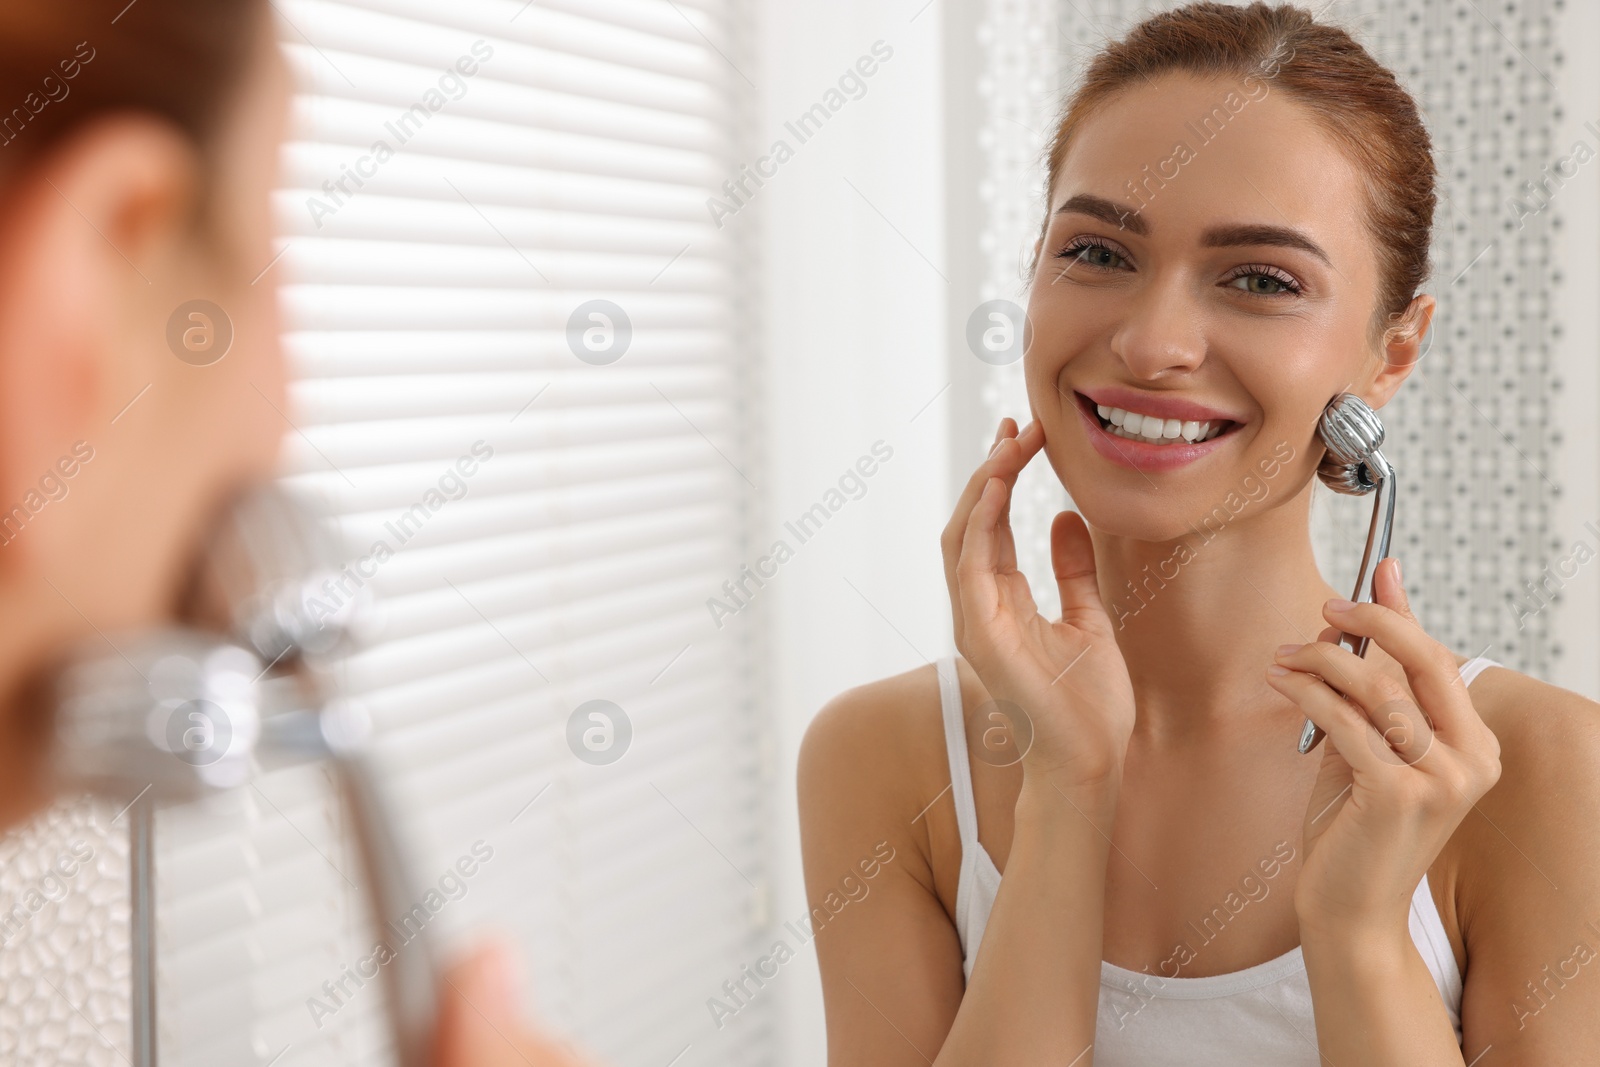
x,y
1396,778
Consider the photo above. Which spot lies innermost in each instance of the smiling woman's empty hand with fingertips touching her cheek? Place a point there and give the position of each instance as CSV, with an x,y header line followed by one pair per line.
x,y
1068,677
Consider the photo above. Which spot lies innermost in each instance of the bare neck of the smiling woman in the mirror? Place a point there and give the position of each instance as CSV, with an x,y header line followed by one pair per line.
x,y
1199,620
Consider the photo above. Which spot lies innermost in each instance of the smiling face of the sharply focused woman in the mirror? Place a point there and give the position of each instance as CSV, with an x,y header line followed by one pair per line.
x,y
1218,287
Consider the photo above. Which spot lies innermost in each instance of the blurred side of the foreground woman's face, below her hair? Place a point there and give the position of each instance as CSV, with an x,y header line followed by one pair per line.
x,y
175,423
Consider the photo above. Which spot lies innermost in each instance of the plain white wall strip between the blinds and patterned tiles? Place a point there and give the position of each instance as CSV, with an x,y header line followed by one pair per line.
x,y
855,348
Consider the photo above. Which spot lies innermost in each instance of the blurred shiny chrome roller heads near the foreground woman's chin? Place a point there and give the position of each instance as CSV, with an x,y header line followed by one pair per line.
x,y
183,711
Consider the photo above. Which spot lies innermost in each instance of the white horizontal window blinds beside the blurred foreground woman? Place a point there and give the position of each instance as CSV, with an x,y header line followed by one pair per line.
x,y
551,527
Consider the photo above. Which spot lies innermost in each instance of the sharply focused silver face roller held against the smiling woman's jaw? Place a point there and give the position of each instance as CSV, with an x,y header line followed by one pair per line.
x,y
1354,466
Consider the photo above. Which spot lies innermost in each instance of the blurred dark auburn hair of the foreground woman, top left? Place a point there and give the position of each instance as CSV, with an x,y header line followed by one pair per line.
x,y
66,62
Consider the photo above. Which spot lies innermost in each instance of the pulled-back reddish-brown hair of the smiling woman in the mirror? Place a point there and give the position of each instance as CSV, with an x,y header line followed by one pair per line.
x,y
1356,98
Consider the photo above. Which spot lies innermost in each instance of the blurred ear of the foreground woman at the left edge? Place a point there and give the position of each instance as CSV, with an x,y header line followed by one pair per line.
x,y
90,236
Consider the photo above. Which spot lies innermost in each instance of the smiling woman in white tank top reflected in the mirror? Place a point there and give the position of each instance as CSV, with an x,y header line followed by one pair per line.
x,y
1146,871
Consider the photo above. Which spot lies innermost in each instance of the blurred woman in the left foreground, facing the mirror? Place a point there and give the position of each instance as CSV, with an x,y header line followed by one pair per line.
x,y
135,177
